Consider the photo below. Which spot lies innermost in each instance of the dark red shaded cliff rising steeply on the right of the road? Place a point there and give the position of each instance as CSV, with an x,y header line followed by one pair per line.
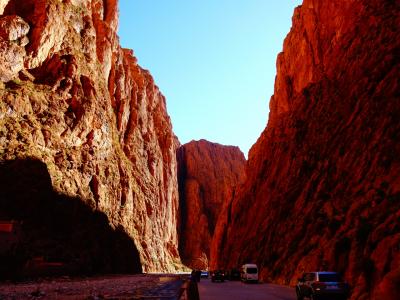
x,y
323,182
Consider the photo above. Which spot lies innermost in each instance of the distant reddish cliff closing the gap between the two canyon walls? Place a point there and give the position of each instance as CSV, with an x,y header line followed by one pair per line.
x,y
208,174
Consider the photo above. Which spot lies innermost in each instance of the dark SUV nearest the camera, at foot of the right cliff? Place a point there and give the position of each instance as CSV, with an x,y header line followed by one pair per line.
x,y
321,285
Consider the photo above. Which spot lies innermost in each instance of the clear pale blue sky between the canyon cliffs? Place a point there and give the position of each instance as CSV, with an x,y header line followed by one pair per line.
x,y
214,60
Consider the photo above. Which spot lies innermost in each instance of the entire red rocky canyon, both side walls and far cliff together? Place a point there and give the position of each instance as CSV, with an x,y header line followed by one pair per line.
x,y
94,180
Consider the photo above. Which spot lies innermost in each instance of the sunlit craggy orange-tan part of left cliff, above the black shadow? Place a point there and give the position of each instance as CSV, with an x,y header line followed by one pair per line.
x,y
74,100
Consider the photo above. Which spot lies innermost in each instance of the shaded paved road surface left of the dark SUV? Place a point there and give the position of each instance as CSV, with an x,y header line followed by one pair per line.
x,y
236,290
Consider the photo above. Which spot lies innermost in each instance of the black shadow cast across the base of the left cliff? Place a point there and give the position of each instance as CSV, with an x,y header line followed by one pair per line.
x,y
45,233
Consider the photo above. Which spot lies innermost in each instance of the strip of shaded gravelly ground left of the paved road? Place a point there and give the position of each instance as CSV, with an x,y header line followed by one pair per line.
x,y
102,287
